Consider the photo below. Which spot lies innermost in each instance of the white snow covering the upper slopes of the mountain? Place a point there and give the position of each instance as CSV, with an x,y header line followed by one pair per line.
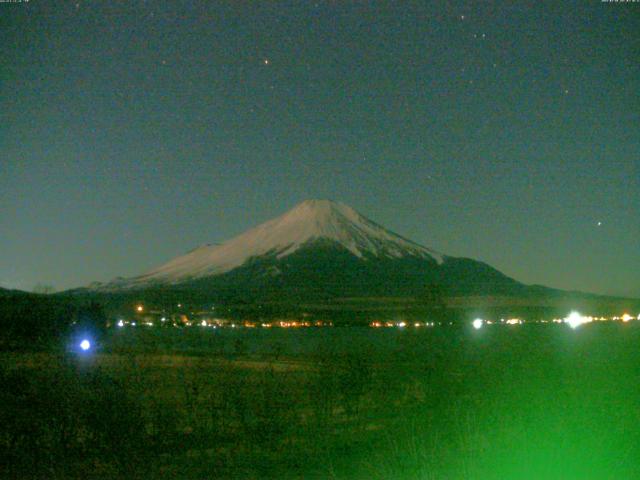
x,y
311,220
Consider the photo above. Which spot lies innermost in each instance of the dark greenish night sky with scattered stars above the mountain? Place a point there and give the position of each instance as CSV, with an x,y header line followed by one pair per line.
x,y
134,131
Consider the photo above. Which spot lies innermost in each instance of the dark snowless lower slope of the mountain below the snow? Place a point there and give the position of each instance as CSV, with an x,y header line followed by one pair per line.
x,y
325,269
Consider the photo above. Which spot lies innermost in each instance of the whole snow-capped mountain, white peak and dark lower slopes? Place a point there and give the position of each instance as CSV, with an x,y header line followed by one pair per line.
x,y
320,248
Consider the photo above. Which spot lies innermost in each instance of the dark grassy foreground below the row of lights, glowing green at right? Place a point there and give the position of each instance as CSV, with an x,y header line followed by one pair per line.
x,y
517,402
